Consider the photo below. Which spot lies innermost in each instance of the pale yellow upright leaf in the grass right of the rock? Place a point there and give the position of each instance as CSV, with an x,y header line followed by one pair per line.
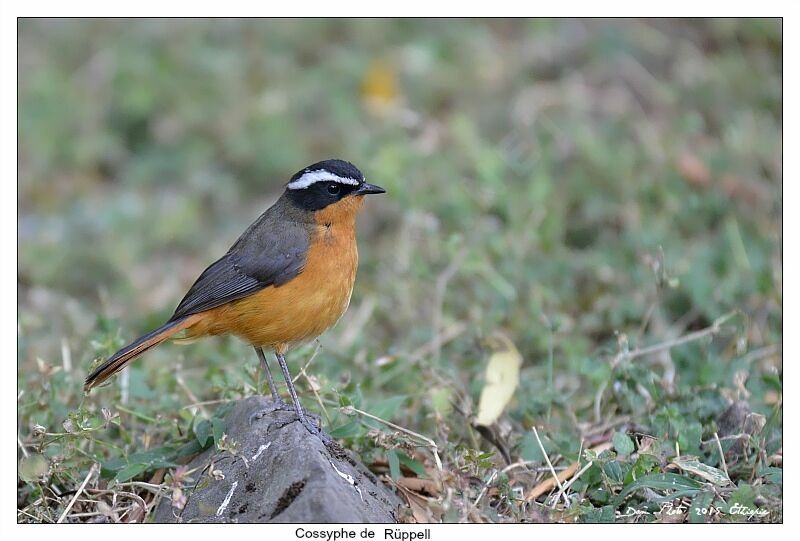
x,y
502,378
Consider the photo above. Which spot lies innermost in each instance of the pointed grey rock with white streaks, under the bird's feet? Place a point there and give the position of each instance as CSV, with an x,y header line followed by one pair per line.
x,y
275,471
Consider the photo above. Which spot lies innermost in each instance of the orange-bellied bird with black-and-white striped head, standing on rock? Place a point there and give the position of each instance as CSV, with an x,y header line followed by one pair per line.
x,y
285,281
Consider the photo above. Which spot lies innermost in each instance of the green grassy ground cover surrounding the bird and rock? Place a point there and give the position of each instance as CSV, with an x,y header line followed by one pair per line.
x,y
586,188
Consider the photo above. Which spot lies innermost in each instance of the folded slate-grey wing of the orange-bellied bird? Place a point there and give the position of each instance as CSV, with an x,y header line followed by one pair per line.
x,y
264,256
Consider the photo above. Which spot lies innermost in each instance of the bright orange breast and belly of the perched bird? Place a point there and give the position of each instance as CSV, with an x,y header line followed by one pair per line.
x,y
301,309
